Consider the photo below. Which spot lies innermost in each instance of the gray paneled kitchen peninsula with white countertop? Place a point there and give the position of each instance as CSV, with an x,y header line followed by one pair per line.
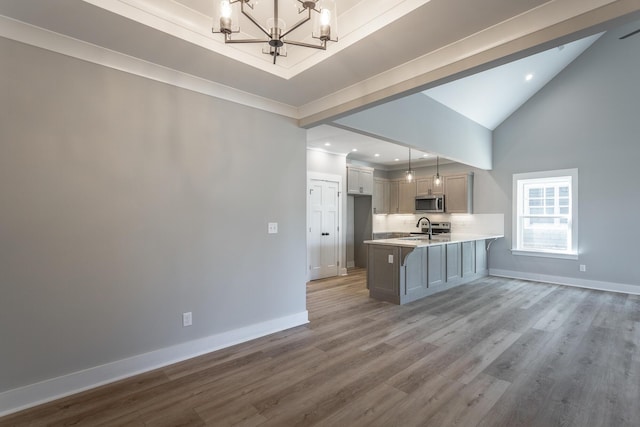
x,y
401,270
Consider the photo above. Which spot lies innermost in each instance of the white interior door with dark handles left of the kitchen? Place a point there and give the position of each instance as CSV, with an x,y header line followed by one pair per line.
x,y
323,240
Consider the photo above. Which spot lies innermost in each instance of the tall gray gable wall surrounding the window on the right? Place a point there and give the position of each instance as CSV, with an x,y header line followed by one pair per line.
x,y
587,117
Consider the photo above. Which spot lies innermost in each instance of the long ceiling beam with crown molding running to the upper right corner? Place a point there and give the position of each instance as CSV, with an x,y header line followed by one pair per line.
x,y
523,35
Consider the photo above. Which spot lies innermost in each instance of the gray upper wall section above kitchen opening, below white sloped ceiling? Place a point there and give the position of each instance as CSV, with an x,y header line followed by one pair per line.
x,y
420,122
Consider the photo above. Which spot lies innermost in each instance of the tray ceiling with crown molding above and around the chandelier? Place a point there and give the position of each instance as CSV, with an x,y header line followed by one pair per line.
x,y
386,48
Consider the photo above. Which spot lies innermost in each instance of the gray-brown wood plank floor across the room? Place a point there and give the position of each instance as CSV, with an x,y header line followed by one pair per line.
x,y
496,352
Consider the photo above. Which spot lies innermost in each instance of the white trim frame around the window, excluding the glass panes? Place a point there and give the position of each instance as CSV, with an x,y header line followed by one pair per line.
x,y
573,173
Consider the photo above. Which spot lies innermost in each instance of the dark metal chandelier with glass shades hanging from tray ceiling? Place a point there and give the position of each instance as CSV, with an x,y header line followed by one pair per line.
x,y
321,13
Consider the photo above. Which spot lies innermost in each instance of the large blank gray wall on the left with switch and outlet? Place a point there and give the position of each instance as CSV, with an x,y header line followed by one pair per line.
x,y
125,202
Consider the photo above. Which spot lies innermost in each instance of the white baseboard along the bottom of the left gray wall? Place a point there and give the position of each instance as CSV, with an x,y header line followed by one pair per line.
x,y
35,394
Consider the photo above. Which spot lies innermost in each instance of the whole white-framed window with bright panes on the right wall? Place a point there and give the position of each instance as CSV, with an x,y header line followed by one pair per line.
x,y
545,215
